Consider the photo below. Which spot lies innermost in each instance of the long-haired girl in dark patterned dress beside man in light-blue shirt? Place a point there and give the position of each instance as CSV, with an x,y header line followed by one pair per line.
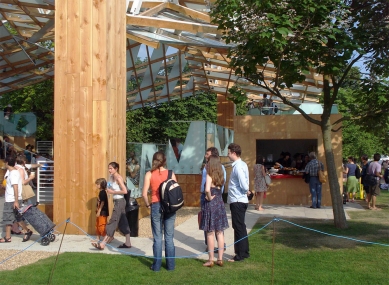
x,y
214,217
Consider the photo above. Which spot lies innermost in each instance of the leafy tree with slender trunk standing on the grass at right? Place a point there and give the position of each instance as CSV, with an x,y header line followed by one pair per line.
x,y
298,36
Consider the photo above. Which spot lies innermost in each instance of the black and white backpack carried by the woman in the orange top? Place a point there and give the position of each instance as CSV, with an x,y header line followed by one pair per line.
x,y
171,195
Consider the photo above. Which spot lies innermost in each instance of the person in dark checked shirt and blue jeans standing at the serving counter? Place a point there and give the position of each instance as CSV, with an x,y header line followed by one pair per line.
x,y
312,169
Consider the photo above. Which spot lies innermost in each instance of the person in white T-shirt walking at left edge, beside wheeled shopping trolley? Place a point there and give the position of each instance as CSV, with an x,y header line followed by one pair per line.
x,y
13,200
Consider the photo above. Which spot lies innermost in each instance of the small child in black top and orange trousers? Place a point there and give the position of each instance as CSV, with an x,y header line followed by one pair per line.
x,y
102,208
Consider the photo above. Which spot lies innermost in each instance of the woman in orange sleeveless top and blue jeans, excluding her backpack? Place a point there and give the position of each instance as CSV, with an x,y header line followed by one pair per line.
x,y
159,221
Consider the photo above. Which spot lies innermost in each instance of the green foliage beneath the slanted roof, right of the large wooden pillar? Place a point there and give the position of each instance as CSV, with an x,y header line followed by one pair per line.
x,y
171,119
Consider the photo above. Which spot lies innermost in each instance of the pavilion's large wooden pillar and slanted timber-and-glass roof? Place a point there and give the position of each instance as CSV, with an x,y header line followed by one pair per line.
x,y
111,56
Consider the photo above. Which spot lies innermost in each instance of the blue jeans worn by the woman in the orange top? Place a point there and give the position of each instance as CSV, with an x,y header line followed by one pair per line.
x,y
161,220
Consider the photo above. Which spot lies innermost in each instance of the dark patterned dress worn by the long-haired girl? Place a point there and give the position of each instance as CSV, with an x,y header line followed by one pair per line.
x,y
214,217
